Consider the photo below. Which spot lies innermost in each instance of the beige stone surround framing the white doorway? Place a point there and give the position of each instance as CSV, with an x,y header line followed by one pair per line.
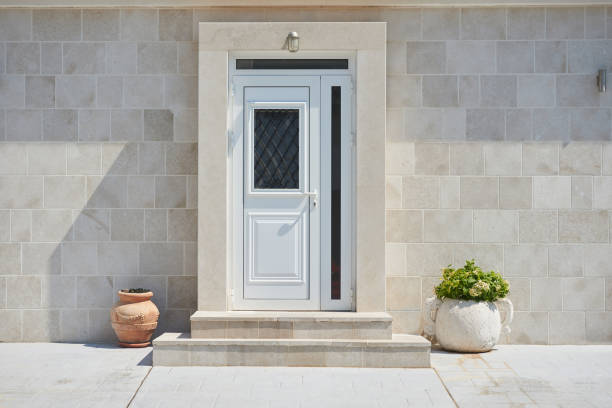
x,y
216,43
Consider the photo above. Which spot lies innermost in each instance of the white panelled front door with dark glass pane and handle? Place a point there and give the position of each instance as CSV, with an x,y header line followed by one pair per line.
x,y
277,124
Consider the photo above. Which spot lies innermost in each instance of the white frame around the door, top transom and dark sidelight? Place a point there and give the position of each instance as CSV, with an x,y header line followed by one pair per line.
x,y
326,79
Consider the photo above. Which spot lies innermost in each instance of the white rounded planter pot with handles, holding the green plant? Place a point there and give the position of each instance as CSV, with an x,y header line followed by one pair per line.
x,y
466,325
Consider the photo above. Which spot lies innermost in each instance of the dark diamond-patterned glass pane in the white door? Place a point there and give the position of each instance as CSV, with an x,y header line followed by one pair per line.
x,y
277,149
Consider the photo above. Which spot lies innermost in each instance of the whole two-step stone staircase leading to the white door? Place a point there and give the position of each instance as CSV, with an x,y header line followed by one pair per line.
x,y
300,339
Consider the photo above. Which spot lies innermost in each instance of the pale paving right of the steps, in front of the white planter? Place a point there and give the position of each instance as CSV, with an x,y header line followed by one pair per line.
x,y
529,376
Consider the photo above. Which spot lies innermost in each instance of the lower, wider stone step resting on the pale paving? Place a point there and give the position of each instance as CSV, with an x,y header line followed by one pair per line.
x,y
401,351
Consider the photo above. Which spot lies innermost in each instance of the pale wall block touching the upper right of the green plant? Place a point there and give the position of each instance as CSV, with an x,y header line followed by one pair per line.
x,y
525,260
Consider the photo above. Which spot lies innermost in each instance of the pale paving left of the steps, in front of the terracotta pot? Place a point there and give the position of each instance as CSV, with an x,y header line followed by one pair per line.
x,y
65,375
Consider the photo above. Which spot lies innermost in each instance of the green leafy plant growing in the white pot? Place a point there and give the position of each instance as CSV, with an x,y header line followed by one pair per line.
x,y
471,283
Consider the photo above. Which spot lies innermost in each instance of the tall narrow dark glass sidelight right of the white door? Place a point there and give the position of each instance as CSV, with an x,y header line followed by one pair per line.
x,y
336,181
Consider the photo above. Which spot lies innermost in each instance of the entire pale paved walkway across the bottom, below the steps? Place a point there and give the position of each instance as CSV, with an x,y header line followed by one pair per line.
x,y
75,375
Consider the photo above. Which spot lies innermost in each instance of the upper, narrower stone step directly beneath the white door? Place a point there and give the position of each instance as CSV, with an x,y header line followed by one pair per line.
x,y
291,325
